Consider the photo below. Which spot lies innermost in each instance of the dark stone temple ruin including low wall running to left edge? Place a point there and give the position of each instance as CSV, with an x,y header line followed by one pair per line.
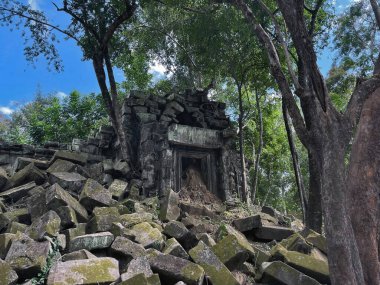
x,y
169,136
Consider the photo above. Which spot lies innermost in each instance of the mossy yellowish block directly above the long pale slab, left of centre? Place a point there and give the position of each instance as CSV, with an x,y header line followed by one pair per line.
x,y
102,219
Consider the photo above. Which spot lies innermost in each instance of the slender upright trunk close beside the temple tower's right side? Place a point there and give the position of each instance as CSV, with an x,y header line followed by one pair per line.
x,y
241,146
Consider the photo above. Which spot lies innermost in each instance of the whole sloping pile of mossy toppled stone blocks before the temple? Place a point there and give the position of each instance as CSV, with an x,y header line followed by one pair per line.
x,y
74,221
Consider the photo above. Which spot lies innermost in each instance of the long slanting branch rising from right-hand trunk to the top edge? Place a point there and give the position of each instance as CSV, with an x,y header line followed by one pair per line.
x,y
298,122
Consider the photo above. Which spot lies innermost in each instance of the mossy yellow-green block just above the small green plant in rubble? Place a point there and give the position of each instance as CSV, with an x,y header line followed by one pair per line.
x,y
49,224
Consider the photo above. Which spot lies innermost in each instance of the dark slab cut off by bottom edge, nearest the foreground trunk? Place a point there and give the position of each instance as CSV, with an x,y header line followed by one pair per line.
x,y
278,272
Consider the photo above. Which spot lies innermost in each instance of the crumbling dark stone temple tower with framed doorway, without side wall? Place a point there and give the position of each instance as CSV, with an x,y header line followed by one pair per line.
x,y
172,133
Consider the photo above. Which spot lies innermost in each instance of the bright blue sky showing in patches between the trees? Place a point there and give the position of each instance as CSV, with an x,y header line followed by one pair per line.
x,y
19,80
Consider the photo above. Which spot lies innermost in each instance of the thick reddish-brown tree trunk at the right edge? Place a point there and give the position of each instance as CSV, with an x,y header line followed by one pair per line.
x,y
363,184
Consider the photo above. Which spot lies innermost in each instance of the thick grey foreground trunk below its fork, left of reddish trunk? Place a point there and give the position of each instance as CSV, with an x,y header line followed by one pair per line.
x,y
344,260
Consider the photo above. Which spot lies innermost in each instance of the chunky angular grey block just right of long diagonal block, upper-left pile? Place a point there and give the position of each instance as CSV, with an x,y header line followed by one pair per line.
x,y
94,195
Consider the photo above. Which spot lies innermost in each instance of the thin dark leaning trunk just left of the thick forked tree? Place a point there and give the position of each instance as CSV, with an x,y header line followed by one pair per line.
x,y
296,167
